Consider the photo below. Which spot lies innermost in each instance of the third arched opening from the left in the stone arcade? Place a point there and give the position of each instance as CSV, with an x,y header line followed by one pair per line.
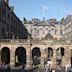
x,y
36,56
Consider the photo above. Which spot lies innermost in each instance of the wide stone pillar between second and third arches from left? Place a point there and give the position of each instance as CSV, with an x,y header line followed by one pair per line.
x,y
28,58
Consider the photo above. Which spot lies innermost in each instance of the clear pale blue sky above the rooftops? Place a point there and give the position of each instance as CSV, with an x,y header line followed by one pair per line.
x,y
35,8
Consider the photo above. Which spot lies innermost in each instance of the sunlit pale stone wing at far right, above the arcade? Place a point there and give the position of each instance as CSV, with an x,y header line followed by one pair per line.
x,y
67,29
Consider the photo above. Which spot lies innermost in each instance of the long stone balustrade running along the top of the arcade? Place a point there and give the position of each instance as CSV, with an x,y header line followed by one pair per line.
x,y
30,41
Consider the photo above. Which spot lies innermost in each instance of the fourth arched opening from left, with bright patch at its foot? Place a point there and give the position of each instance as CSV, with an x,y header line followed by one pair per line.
x,y
49,55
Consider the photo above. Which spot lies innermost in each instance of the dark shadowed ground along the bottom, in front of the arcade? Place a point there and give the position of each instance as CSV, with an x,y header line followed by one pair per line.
x,y
33,70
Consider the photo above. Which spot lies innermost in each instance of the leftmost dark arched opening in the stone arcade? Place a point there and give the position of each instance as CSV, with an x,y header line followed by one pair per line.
x,y
5,55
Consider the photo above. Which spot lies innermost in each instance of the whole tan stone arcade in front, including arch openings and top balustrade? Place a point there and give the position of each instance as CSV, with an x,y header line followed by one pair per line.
x,y
30,53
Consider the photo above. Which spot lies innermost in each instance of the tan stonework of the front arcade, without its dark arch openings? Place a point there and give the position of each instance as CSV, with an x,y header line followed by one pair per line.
x,y
29,45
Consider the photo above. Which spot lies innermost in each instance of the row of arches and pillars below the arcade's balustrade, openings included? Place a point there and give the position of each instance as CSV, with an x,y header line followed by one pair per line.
x,y
35,55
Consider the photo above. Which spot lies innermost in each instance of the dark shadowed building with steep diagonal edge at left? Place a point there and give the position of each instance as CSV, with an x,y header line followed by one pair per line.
x,y
10,24
